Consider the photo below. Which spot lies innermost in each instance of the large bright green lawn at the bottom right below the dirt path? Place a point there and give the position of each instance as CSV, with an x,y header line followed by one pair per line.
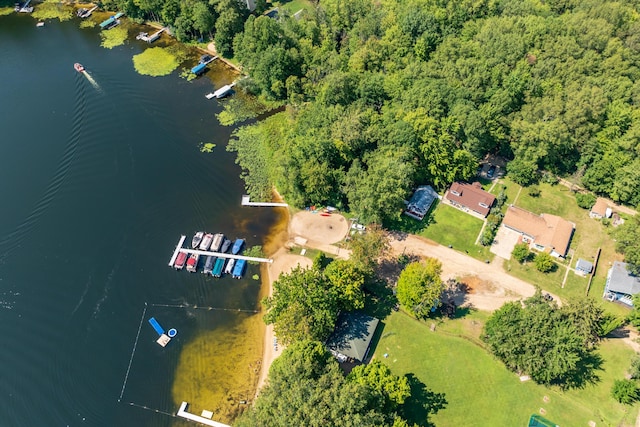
x,y
480,391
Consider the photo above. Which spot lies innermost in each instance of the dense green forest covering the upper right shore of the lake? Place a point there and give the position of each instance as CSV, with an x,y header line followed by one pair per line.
x,y
384,96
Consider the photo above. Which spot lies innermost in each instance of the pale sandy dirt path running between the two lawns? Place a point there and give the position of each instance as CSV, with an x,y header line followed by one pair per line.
x,y
490,286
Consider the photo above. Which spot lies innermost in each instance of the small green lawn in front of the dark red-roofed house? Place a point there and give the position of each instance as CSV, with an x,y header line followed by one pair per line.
x,y
452,227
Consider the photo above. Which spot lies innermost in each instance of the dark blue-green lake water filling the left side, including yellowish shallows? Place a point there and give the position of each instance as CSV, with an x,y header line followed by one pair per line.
x,y
97,185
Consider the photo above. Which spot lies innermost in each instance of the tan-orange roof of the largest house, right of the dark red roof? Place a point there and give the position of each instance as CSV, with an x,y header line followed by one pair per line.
x,y
550,231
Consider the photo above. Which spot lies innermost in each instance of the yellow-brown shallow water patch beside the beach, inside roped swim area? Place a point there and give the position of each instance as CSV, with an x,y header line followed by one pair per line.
x,y
219,368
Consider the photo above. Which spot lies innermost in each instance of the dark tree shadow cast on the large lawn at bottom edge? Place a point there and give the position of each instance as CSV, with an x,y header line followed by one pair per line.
x,y
422,403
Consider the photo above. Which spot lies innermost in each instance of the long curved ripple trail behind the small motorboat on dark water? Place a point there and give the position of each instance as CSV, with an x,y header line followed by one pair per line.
x,y
13,239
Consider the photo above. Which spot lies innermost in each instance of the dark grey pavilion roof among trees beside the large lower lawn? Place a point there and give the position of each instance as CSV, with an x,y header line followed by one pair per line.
x,y
353,334
